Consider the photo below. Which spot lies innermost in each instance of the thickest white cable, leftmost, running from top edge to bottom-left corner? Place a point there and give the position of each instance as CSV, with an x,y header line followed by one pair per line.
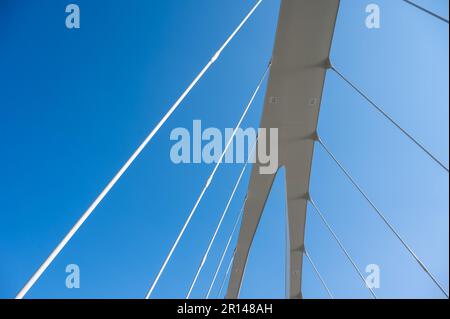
x,y
124,168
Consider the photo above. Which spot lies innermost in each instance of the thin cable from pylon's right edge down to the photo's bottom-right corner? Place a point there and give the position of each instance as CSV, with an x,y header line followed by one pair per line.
x,y
381,215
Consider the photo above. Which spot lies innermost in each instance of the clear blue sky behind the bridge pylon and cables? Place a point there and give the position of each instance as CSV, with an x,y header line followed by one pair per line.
x,y
74,104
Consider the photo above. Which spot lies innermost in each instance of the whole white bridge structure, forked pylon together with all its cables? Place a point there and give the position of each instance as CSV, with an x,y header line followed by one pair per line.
x,y
296,76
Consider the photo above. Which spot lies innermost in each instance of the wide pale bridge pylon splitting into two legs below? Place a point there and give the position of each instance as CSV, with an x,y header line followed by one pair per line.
x,y
292,103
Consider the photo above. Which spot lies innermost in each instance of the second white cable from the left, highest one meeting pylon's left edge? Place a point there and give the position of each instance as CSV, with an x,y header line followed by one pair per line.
x,y
208,182
